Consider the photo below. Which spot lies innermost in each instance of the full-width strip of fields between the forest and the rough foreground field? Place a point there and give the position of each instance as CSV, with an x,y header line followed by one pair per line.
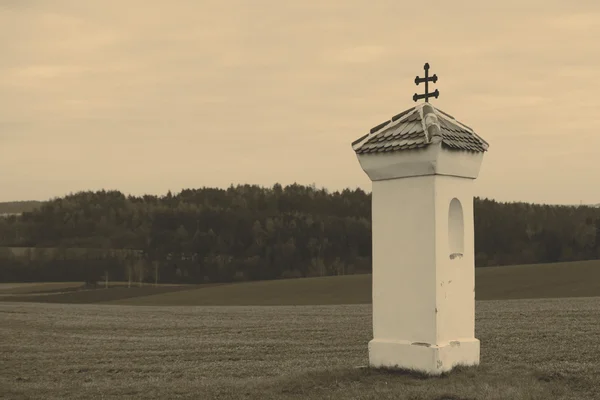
x,y
575,279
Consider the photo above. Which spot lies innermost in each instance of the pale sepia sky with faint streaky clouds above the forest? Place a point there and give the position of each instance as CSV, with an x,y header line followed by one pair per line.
x,y
150,96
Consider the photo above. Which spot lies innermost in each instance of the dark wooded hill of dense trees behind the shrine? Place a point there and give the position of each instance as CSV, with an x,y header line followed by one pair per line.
x,y
248,232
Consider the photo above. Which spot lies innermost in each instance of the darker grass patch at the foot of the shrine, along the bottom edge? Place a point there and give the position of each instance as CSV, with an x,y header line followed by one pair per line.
x,y
462,383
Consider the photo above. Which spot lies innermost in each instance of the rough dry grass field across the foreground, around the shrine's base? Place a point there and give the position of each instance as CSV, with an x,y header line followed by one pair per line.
x,y
531,349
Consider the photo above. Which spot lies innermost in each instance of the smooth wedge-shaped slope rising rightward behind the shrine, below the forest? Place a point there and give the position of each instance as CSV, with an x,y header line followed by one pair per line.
x,y
578,279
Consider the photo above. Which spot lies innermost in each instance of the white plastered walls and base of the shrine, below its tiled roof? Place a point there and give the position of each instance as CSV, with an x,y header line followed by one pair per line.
x,y
423,273
